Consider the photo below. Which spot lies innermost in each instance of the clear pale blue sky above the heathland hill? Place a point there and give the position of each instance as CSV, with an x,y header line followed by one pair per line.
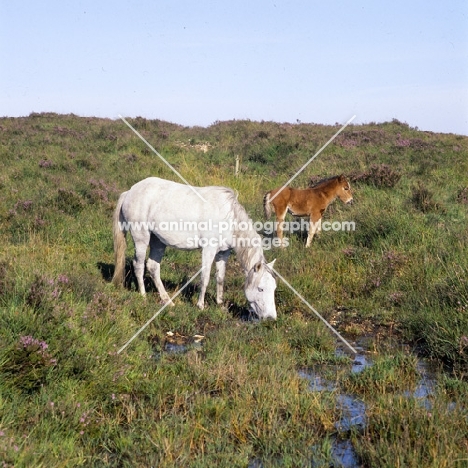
x,y
198,62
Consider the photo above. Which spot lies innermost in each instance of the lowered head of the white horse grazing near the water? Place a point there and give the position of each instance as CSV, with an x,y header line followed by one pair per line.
x,y
260,288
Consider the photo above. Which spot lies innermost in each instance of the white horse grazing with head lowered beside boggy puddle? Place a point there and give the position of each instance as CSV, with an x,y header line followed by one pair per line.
x,y
162,213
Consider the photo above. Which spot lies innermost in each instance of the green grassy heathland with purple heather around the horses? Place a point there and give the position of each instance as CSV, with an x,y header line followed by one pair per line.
x,y
68,399
